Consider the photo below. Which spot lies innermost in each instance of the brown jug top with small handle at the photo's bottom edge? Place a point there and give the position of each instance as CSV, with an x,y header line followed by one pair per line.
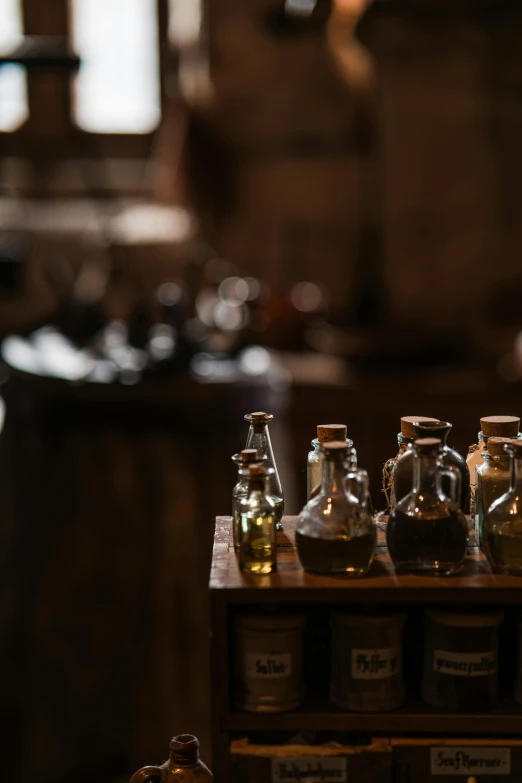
x,y
183,764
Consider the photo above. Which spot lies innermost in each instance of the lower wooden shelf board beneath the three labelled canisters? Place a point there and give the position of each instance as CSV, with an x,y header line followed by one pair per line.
x,y
412,718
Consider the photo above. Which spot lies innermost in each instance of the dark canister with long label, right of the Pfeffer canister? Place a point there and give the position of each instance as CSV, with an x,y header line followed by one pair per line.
x,y
461,660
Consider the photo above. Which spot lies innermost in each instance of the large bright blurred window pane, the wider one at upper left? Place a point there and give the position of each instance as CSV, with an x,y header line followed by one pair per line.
x,y
117,89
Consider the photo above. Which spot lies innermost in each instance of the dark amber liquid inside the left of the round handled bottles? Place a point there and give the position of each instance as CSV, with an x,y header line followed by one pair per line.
x,y
349,556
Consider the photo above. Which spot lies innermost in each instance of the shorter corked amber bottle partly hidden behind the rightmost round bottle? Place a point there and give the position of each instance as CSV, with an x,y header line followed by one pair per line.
x,y
493,479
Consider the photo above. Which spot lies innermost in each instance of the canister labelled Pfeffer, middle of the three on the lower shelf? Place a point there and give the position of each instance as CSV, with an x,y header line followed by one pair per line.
x,y
367,661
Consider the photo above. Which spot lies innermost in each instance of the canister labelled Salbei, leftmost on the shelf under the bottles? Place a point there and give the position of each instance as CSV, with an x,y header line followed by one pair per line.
x,y
269,662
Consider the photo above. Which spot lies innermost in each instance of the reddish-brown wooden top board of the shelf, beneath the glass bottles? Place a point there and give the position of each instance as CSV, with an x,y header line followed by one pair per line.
x,y
291,584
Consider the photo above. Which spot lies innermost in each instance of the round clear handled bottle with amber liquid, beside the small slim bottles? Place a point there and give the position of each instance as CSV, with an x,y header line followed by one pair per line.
x,y
335,531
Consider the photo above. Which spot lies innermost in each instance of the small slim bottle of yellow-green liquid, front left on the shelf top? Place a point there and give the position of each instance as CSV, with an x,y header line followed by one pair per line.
x,y
257,537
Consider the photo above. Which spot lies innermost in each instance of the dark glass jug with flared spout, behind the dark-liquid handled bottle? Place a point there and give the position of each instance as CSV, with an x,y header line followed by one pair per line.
x,y
450,459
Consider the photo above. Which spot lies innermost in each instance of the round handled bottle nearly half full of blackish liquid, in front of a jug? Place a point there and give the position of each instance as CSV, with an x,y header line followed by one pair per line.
x,y
427,532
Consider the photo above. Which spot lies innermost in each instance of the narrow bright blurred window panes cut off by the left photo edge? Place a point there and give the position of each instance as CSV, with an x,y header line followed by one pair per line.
x,y
13,84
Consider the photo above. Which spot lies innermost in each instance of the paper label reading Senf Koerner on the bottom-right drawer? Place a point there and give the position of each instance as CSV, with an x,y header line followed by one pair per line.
x,y
470,761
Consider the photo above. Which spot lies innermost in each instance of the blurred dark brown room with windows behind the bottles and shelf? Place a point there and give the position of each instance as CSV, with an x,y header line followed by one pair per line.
x,y
310,207
